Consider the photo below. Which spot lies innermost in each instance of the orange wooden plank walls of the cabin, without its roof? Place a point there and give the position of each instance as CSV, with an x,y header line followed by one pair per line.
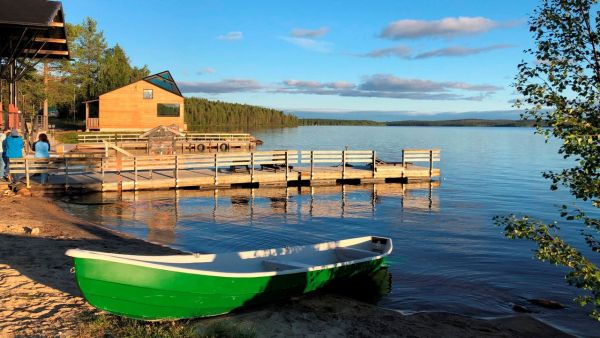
x,y
125,109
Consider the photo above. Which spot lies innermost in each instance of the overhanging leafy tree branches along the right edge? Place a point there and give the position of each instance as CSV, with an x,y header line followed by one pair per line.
x,y
561,86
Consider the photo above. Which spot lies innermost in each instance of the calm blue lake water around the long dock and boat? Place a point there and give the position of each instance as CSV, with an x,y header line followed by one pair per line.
x,y
448,254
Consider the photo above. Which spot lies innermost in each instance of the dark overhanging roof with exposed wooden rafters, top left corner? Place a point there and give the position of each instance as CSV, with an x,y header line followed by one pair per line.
x,y
32,29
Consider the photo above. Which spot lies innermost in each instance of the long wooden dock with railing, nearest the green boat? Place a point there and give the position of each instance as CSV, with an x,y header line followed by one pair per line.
x,y
219,170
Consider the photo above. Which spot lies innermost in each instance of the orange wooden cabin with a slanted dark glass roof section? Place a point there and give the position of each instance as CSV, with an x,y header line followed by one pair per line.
x,y
152,101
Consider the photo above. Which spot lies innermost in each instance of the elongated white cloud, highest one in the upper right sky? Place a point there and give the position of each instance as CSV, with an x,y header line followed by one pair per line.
x,y
446,28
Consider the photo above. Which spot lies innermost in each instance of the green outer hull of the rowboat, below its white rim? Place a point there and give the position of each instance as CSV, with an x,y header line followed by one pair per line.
x,y
154,294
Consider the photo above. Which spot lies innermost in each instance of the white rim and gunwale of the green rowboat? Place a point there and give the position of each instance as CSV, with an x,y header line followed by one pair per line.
x,y
269,255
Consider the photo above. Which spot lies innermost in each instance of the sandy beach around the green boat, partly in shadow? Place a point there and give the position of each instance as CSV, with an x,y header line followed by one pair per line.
x,y
39,297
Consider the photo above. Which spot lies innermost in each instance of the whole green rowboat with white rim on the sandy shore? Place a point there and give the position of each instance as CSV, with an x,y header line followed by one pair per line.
x,y
201,285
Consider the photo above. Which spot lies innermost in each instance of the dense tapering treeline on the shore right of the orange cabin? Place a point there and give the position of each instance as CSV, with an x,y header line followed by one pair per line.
x,y
201,113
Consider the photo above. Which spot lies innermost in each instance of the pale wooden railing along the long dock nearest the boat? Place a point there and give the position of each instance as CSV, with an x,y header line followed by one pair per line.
x,y
247,162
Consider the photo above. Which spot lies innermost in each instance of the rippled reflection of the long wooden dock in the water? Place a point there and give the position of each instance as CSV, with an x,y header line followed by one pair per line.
x,y
160,213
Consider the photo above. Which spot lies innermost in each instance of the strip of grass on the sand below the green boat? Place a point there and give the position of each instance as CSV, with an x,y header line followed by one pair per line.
x,y
93,324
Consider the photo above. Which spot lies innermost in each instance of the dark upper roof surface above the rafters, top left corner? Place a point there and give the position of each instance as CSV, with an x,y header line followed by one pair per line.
x,y
28,12
